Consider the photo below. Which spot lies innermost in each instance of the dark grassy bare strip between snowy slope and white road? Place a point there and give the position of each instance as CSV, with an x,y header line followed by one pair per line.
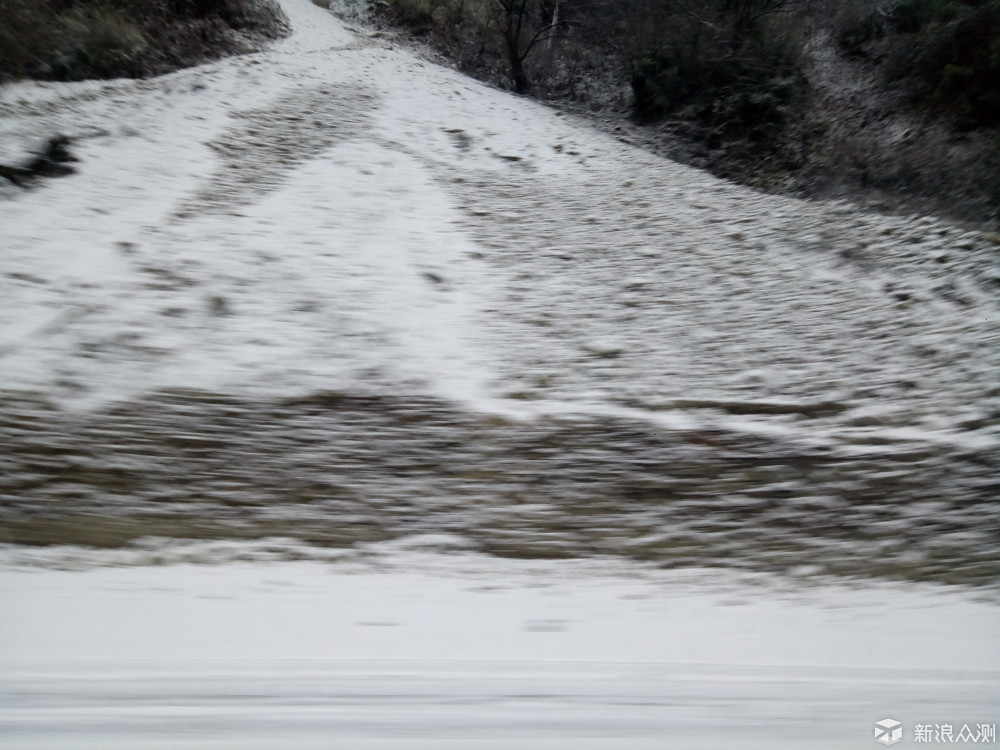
x,y
336,469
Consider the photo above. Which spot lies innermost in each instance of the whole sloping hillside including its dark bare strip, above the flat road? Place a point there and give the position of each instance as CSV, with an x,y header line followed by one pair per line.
x,y
335,292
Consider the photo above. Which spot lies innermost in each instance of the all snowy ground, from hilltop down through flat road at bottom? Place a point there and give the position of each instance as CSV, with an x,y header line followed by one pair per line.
x,y
372,330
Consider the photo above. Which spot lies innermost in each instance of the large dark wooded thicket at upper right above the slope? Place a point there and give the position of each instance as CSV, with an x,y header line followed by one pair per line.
x,y
894,102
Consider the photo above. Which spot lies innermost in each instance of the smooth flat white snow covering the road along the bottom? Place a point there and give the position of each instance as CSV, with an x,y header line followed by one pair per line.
x,y
393,648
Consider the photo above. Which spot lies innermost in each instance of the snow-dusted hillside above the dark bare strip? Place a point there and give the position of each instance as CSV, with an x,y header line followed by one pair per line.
x,y
274,224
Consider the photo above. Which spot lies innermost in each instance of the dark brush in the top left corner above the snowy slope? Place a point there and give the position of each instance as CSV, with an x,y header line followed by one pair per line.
x,y
72,40
